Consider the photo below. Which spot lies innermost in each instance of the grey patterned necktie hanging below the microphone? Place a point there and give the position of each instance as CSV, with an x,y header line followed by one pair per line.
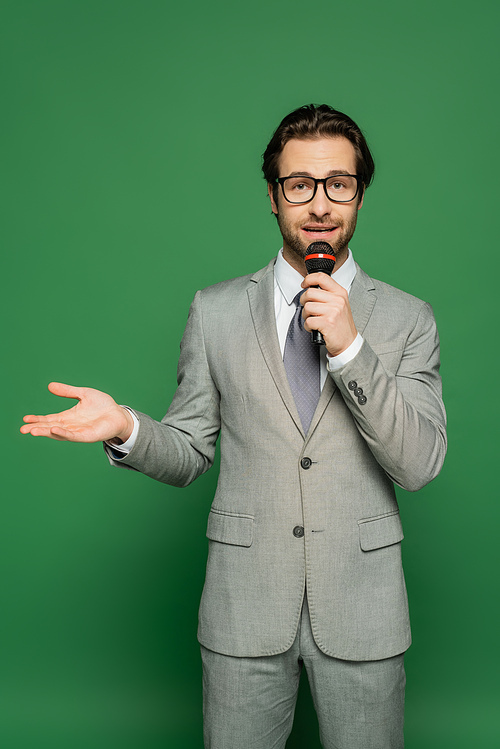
x,y
301,360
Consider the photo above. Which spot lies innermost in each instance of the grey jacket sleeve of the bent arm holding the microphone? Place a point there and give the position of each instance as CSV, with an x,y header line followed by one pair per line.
x,y
400,414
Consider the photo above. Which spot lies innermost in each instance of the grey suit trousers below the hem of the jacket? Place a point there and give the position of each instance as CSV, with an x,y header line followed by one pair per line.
x,y
249,703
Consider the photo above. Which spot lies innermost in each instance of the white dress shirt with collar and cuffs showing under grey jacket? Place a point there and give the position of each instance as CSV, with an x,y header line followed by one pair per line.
x,y
287,284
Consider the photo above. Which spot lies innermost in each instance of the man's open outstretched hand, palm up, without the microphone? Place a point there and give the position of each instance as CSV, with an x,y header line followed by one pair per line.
x,y
95,418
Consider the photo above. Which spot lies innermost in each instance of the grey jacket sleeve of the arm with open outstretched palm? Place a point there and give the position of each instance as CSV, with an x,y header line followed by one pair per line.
x,y
182,446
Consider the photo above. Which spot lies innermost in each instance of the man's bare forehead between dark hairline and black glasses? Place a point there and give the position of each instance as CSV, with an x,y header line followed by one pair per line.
x,y
318,157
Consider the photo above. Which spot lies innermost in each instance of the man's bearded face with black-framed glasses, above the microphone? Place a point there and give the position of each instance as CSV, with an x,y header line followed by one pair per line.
x,y
320,220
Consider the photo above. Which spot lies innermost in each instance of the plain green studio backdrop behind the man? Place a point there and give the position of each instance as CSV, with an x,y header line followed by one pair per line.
x,y
131,135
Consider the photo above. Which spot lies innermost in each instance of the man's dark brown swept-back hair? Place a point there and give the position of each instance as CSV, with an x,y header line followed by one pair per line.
x,y
310,122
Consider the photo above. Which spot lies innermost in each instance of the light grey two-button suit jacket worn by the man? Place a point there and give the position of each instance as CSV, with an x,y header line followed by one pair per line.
x,y
232,380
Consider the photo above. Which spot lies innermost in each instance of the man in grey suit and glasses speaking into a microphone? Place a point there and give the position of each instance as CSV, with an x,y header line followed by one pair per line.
x,y
304,564
